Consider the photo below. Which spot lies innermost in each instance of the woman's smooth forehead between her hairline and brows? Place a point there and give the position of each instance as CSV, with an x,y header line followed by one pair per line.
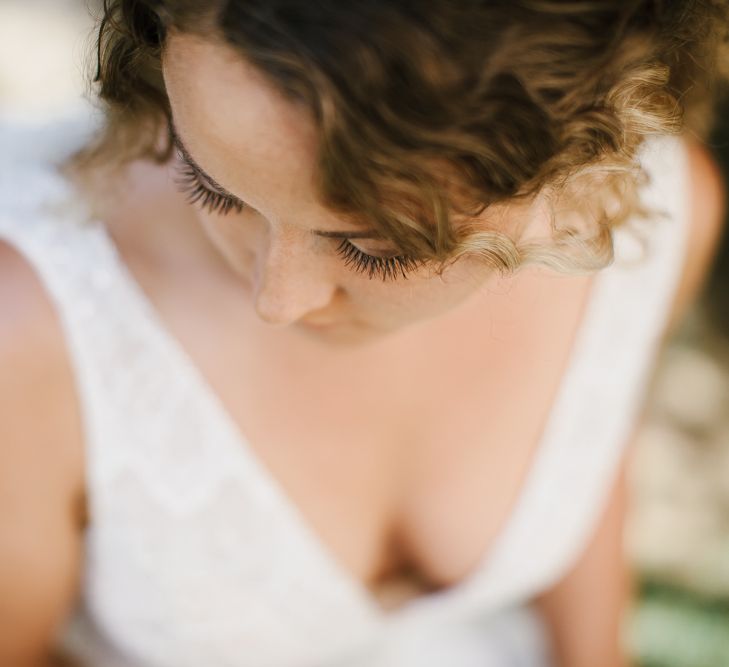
x,y
235,123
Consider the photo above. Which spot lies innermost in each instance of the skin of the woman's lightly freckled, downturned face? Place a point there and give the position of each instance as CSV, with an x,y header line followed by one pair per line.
x,y
260,147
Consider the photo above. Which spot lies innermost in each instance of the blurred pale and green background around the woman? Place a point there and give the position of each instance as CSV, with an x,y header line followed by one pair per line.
x,y
678,533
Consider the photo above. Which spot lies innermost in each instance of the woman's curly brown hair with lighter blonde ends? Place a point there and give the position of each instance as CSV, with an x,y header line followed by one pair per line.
x,y
428,112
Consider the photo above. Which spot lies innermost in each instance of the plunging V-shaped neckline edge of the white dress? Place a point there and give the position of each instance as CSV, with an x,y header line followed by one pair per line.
x,y
245,452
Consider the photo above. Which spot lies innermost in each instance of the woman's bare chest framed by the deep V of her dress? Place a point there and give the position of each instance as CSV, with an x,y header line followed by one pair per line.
x,y
405,462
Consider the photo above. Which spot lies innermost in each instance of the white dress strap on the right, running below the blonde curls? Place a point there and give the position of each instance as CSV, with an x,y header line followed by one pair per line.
x,y
596,411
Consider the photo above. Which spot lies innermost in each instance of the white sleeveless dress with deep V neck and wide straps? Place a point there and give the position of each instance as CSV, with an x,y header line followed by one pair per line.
x,y
195,556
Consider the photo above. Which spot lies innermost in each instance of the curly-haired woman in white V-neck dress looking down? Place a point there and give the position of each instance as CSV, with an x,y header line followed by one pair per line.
x,y
316,355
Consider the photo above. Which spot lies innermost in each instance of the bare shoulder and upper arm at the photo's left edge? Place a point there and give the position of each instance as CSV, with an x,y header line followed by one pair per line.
x,y
41,467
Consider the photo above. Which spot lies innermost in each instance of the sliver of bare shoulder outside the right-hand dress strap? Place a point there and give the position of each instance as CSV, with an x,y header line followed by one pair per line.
x,y
707,209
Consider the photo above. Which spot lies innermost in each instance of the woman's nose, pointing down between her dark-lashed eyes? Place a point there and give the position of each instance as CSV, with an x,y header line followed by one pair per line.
x,y
288,284
